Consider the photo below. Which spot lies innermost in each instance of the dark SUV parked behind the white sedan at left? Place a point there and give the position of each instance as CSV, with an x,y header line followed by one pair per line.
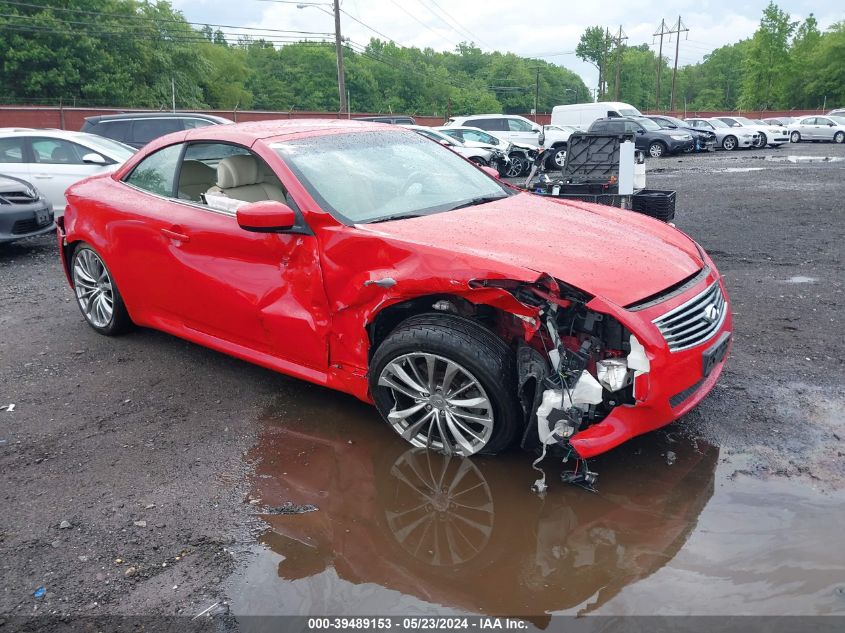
x,y
139,128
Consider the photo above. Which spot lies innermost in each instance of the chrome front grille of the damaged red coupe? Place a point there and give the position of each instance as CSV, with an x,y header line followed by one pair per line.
x,y
695,321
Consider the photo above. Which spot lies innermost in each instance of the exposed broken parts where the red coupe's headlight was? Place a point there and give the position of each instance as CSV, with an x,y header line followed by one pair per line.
x,y
575,365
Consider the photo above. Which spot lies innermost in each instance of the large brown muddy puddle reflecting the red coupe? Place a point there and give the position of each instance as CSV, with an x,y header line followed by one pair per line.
x,y
402,531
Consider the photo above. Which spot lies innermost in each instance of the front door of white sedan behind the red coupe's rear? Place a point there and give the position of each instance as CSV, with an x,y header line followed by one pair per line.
x,y
56,164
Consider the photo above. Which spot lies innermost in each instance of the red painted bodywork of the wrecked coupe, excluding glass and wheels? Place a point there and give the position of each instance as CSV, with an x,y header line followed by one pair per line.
x,y
309,305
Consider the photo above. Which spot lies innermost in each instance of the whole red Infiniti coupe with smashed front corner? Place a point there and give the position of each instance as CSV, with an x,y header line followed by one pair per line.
x,y
372,260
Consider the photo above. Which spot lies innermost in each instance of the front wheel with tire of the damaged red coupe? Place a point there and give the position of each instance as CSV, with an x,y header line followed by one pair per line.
x,y
447,383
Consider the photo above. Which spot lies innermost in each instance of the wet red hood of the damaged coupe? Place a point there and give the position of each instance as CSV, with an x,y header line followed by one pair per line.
x,y
622,256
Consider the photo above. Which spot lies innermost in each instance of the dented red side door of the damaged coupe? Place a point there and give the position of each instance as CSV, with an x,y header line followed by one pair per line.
x,y
260,291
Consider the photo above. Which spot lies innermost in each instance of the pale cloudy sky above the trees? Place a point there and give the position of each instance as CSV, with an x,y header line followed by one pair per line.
x,y
546,29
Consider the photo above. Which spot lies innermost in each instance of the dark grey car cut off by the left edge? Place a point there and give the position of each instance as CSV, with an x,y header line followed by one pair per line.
x,y
24,212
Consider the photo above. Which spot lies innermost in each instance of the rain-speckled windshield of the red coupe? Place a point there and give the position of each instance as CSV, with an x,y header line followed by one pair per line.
x,y
378,176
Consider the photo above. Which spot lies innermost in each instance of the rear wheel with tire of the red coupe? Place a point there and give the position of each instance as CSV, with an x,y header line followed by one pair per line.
x,y
97,295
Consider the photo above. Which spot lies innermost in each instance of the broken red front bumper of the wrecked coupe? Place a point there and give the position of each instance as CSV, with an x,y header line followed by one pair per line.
x,y
675,383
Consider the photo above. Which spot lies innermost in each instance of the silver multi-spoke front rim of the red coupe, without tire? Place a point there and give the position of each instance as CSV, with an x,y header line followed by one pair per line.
x,y
438,404
